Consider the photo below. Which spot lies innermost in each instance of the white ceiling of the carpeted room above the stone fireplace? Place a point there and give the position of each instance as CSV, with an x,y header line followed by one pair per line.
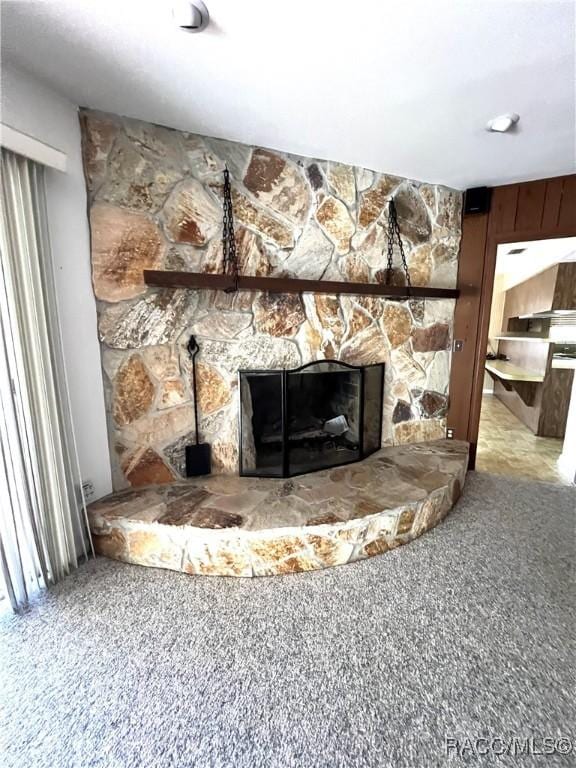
x,y
403,86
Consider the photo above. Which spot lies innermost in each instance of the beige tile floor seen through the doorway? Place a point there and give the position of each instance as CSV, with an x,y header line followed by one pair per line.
x,y
508,447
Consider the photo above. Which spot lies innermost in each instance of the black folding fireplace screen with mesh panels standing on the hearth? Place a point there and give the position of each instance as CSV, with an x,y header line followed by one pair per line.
x,y
321,415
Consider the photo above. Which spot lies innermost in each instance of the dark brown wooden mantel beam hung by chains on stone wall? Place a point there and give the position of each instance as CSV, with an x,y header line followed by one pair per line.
x,y
198,280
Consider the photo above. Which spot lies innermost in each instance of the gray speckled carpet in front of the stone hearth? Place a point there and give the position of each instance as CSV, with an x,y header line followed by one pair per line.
x,y
466,632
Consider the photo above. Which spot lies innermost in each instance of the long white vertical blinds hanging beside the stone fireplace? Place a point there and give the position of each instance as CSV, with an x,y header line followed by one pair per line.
x,y
43,525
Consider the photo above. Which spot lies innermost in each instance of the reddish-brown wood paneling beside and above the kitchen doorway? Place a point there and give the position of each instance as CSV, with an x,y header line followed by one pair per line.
x,y
533,210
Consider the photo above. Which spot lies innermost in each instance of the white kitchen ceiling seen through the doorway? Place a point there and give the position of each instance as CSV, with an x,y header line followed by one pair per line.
x,y
514,268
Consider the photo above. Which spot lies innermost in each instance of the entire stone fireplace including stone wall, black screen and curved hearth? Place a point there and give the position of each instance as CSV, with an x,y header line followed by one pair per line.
x,y
314,361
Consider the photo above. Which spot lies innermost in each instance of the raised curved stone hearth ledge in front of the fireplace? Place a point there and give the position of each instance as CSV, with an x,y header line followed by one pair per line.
x,y
238,526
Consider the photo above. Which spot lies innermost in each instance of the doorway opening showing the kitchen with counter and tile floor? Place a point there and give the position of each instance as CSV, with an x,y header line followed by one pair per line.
x,y
528,413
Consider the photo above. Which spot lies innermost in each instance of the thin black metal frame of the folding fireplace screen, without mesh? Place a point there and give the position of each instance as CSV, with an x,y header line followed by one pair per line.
x,y
284,373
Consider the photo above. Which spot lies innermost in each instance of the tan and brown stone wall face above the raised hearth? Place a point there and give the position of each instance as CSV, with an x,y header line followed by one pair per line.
x,y
155,203
